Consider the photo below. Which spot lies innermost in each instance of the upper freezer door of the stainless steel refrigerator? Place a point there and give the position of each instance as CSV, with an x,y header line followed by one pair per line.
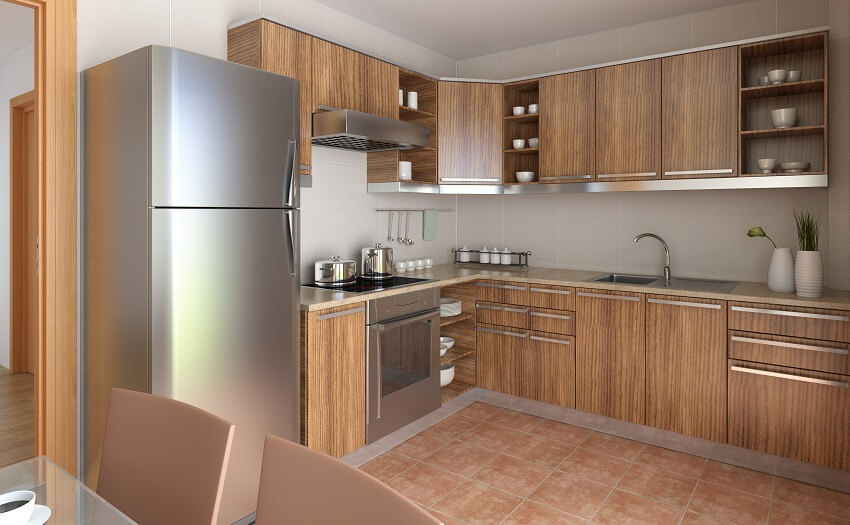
x,y
223,135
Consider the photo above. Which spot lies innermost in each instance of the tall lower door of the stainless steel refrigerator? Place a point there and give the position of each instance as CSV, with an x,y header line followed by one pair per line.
x,y
225,328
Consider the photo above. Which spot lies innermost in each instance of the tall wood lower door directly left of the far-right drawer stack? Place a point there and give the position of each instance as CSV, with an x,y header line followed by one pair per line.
x,y
686,366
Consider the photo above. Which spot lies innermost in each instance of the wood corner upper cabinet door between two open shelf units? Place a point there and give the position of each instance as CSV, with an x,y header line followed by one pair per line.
x,y
470,138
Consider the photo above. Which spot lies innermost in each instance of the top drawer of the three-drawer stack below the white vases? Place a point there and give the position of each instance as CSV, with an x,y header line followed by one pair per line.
x,y
811,323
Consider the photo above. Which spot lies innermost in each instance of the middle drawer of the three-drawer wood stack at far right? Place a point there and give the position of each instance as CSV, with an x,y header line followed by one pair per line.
x,y
795,352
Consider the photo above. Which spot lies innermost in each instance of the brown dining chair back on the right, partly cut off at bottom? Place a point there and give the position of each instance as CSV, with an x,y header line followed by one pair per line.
x,y
299,485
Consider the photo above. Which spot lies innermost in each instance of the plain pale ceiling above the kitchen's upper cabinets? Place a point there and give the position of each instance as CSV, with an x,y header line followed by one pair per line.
x,y
466,28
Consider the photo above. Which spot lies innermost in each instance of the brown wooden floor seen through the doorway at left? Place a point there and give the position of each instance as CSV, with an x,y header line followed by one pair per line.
x,y
16,417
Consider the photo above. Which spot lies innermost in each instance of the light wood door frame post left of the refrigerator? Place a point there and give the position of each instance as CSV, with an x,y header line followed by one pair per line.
x,y
56,118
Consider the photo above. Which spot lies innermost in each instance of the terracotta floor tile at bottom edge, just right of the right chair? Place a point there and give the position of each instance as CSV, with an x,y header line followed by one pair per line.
x,y
475,502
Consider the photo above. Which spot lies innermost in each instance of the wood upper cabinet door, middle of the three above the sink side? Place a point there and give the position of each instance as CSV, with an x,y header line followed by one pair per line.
x,y
628,121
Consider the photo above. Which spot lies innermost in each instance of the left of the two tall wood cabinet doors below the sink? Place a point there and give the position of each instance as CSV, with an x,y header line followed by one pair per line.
x,y
610,354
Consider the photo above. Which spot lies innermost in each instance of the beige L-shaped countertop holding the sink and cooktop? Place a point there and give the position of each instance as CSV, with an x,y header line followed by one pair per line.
x,y
447,274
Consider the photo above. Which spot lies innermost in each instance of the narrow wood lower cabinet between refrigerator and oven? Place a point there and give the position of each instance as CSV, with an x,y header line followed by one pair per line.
x,y
333,379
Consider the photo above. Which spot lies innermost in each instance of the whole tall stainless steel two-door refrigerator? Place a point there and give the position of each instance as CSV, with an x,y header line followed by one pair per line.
x,y
191,248
